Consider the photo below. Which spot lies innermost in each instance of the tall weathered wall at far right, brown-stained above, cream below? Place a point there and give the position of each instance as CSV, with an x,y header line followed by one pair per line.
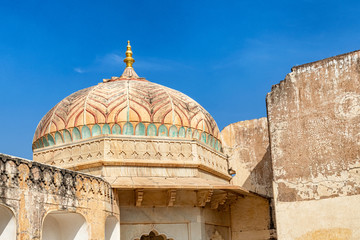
x,y
314,117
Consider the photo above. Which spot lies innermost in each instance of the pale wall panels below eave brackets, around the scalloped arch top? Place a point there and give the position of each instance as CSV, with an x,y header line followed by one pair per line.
x,y
185,223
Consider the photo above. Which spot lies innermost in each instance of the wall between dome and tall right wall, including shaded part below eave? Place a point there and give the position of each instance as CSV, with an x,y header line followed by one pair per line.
x,y
247,145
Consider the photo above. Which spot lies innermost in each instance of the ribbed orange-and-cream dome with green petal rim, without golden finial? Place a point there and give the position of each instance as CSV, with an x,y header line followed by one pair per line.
x,y
126,107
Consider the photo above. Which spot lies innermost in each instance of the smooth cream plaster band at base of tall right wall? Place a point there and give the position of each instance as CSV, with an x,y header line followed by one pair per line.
x,y
296,219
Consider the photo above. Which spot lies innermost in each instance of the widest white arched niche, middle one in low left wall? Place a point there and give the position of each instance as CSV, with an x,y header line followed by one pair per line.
x,y
64,226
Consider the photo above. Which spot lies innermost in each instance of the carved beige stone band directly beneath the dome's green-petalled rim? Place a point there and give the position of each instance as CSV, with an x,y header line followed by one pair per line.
x,y
133,151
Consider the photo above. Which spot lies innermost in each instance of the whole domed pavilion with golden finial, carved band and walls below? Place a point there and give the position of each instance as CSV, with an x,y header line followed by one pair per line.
x,y
158,148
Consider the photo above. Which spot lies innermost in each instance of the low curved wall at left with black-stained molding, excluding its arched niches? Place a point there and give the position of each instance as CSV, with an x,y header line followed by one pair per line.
x,y
32,190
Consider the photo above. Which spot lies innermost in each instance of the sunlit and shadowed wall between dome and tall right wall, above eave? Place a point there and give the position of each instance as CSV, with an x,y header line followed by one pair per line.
x,y
247,145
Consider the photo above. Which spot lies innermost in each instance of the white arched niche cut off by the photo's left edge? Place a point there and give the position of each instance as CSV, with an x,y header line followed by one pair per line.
x,y
7,224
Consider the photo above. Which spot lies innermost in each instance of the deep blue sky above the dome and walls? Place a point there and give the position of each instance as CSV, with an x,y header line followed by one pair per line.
x,y
224,54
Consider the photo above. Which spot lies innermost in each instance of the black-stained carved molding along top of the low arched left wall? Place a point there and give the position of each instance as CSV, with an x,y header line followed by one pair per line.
x,y
57,181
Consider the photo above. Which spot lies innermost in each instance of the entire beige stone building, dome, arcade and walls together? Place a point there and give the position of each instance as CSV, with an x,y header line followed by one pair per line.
x,y
133,160
